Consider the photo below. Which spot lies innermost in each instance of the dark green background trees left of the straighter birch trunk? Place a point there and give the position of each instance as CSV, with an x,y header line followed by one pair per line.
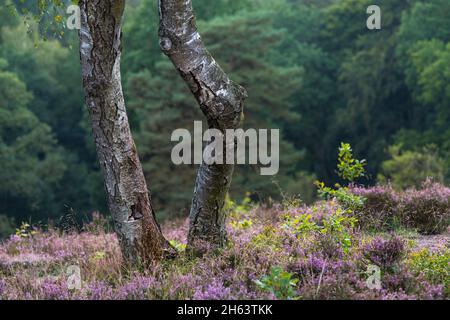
x,y
57,171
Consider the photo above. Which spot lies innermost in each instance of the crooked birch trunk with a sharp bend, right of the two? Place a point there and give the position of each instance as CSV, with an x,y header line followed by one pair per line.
x,y
221,101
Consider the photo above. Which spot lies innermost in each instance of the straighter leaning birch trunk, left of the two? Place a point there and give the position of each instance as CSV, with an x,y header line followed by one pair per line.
x,y
139,234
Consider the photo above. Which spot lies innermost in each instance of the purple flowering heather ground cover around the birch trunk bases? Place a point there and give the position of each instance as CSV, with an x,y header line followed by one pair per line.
x,y
297,252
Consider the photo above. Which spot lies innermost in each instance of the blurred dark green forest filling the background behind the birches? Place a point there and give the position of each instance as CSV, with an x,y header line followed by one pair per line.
x,y
312,69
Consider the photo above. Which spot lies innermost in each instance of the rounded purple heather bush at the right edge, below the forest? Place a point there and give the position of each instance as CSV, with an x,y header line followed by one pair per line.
x,y
428,209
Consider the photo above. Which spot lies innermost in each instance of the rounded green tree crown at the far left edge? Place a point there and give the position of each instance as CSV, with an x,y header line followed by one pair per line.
x,y
32,163
